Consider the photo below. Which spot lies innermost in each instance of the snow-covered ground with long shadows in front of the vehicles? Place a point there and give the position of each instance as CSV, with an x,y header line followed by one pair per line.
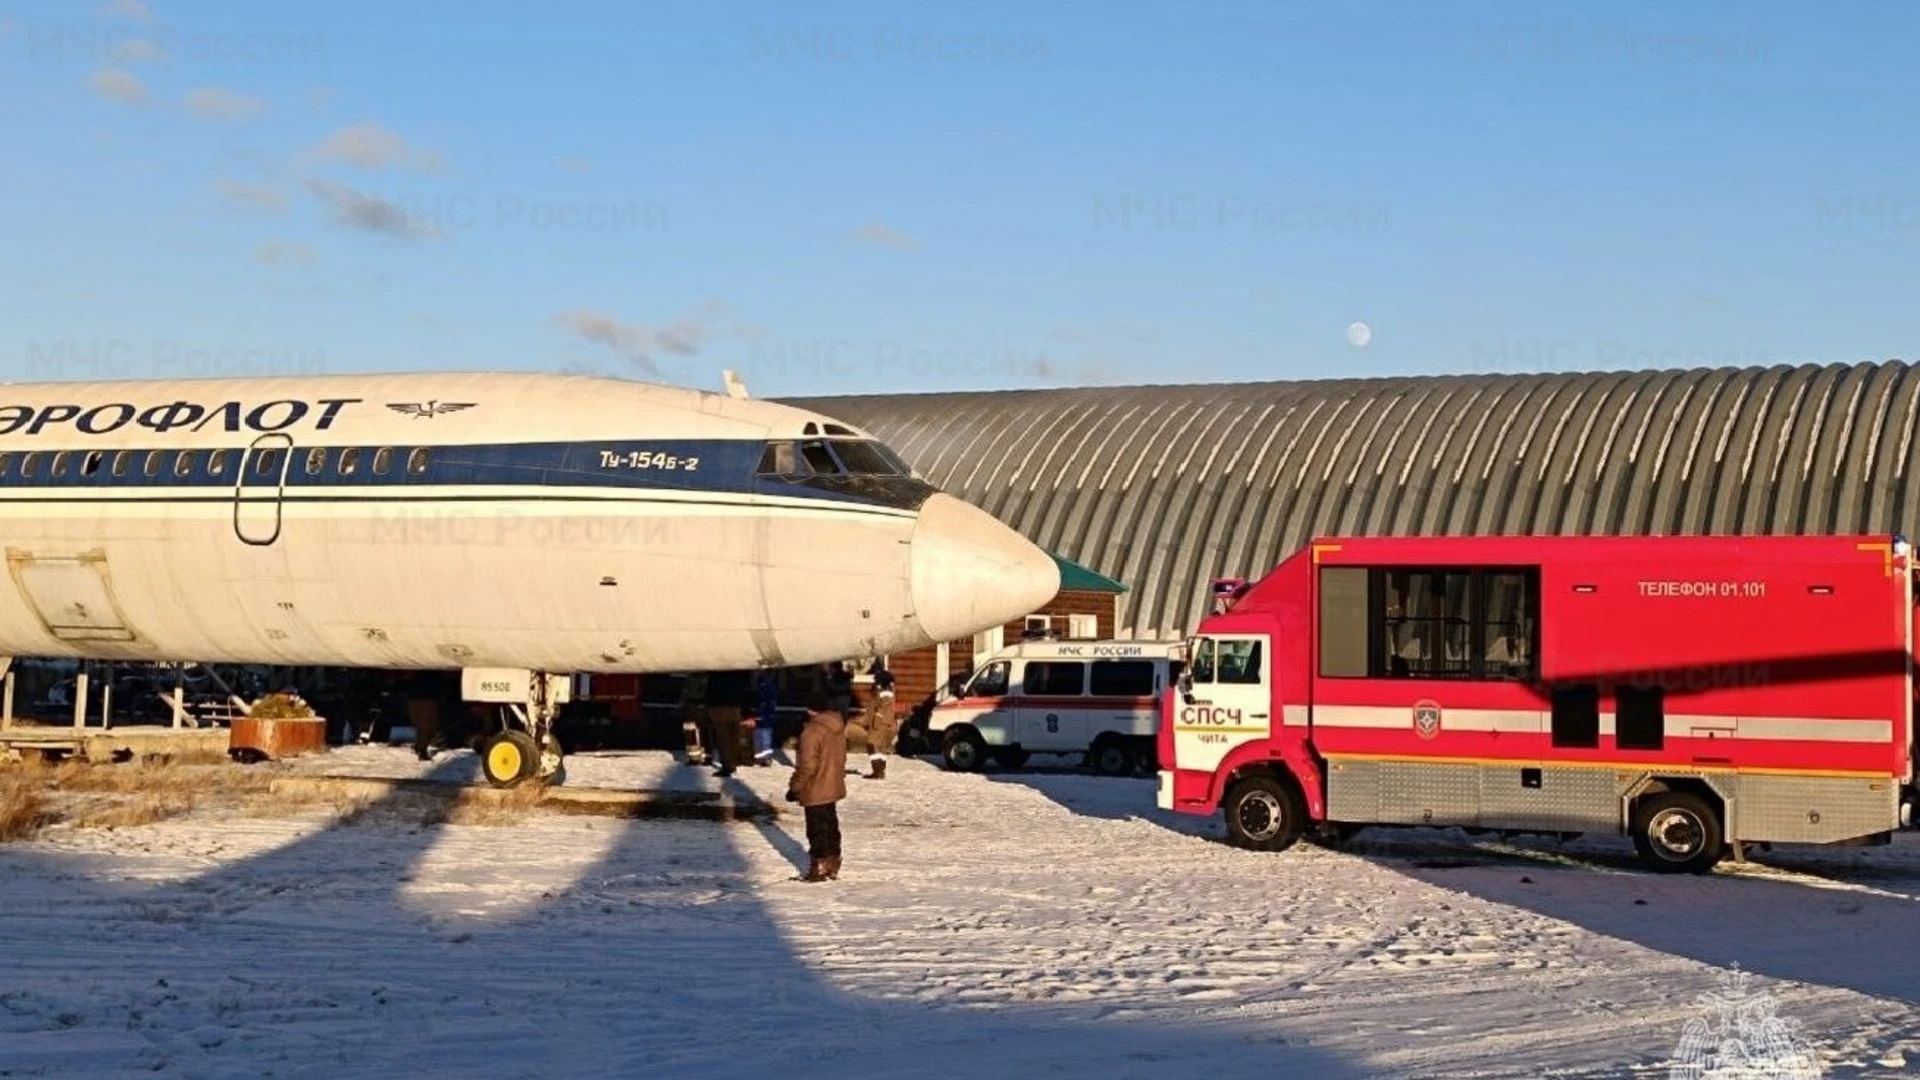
x,y
996,925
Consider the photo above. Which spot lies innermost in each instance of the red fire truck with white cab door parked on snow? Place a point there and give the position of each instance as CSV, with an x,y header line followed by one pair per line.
x,y
1694,693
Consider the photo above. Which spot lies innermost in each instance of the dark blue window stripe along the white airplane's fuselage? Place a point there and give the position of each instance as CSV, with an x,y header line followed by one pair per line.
x,y
636,466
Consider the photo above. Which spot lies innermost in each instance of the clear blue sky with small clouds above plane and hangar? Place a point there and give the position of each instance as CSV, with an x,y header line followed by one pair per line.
x,y
871,199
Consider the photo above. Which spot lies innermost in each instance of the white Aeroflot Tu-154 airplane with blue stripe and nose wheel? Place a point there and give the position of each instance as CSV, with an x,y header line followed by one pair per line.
x,y
519,528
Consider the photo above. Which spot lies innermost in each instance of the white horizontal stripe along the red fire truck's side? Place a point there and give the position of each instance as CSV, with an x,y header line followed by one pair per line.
x,y
1800,729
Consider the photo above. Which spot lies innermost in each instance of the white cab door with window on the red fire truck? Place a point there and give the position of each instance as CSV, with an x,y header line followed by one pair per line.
x,y
1230,702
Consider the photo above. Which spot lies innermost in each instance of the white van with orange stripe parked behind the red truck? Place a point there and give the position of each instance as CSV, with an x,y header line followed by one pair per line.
x,y
1093,700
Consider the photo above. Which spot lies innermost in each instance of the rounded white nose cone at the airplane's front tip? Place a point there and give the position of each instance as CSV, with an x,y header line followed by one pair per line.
x,y
972,574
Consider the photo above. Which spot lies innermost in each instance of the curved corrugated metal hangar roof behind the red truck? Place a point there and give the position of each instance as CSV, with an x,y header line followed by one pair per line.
x,y
1168,487
